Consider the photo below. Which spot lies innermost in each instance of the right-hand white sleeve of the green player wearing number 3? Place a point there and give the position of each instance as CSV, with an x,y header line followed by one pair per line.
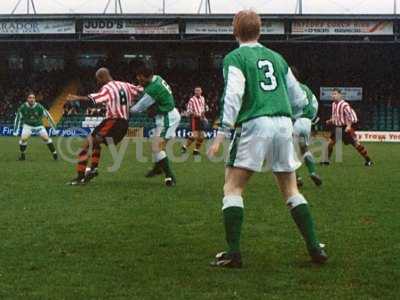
x,y
297,96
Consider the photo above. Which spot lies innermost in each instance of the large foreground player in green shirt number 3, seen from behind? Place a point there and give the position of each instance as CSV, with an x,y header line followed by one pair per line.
x,y
261,96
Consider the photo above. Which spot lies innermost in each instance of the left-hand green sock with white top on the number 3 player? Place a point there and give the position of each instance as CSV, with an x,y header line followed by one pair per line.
x,y
233,219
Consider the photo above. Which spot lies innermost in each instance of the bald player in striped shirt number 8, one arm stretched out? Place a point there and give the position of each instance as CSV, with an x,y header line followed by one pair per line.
x,y
117,96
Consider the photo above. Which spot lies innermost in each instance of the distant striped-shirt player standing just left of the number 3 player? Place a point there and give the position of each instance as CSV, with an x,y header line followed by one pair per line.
x,y
196,109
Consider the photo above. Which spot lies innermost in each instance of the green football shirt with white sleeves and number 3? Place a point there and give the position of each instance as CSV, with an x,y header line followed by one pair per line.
x,y
258,82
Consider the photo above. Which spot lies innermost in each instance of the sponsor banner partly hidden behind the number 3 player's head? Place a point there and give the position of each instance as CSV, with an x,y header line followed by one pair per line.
x,y
268,27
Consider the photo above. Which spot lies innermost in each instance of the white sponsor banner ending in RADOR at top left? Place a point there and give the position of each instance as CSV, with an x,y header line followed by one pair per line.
x,y
38,27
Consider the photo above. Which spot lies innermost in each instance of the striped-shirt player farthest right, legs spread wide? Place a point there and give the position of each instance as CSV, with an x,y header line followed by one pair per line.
x,y
344,118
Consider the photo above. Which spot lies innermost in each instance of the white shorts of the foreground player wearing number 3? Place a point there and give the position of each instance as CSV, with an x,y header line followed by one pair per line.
x,y
264,143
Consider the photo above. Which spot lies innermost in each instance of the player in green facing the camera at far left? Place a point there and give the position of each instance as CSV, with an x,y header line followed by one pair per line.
x,y
30,115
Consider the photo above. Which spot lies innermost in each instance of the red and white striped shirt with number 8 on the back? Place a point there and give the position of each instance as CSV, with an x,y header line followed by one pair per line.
x,y
118,97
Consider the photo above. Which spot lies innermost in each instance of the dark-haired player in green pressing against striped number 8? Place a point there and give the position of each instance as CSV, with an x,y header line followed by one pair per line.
x,y
158,93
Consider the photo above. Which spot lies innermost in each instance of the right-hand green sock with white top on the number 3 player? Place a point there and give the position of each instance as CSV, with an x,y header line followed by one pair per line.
x,y
301,215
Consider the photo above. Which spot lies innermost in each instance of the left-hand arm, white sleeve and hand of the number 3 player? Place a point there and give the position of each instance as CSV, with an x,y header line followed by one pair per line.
x,y
231,101
